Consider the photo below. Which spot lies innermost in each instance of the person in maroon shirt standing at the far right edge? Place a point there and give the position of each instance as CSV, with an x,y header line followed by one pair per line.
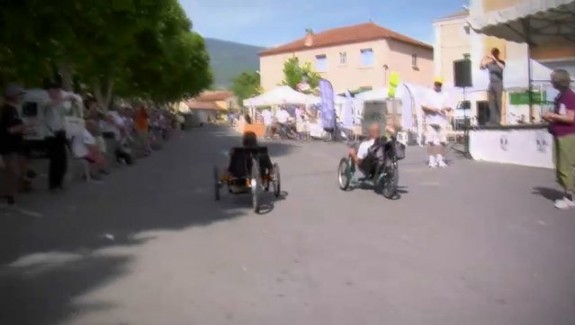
x,y
562,127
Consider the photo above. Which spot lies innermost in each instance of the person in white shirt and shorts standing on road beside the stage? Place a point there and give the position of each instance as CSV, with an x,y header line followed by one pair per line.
x,y
436,108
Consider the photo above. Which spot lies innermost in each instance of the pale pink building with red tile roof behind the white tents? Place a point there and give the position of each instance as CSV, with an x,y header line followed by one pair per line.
x,y
352,57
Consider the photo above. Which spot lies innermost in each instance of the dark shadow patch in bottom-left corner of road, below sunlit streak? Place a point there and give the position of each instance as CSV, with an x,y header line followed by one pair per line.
x,y
44,292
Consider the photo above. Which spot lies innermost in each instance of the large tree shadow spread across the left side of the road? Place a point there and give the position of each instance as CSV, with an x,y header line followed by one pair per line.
x,y
170,191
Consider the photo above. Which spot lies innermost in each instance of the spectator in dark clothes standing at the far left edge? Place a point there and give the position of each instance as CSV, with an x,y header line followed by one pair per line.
x,y
12,129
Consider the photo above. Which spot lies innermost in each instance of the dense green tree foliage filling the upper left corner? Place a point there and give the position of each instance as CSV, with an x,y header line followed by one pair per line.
x,y
141,48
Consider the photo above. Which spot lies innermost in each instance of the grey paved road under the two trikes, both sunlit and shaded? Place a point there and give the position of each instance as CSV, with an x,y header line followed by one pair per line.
x,y
473,244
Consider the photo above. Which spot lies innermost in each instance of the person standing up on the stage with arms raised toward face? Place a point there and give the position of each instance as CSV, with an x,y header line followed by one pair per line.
x,y
495,66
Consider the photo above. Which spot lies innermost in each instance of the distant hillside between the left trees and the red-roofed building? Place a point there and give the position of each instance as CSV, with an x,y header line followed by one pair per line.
x,y
229,59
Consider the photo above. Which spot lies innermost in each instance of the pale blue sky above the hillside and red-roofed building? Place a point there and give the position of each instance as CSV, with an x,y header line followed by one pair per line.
x,y
273,22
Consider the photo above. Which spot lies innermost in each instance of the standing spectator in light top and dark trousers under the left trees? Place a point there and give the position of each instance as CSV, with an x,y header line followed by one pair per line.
x,y
56,140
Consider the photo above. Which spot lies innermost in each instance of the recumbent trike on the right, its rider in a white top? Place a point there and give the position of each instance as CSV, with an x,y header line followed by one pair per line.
x,y
380,169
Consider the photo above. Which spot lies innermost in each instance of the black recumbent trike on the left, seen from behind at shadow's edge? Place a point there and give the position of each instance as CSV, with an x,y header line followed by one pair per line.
x,y
250,171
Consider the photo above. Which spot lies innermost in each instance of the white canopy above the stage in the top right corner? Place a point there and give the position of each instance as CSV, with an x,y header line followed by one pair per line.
x,y
535,22
